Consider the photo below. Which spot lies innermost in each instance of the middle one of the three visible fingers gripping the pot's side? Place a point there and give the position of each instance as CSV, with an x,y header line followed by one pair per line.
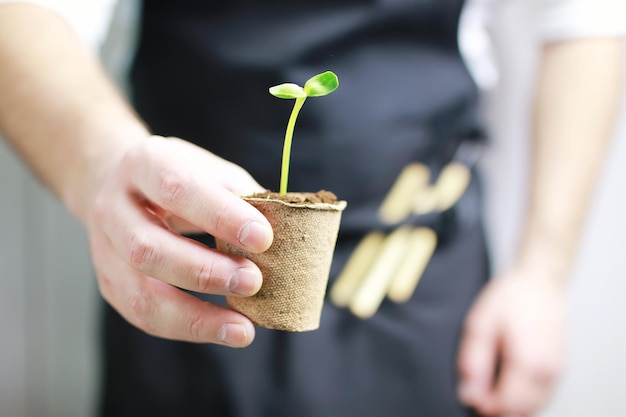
x,y
151,249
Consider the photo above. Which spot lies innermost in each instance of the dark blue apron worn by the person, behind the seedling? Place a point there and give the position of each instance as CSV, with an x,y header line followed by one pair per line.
x,y
202,72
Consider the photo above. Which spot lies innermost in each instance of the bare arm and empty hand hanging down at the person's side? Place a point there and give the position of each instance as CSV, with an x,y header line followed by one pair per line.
x,y
518,321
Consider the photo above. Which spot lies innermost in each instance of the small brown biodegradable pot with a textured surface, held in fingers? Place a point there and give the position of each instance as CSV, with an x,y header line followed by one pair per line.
x,y
296,267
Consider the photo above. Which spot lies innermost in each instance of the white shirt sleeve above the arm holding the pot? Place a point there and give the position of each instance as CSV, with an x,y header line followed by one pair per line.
x,y
89,18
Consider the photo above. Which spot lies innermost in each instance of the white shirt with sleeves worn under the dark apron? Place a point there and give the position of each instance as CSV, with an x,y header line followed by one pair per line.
x,y
507,159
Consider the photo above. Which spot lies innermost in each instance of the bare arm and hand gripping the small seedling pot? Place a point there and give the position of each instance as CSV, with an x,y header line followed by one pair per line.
x,y
70,124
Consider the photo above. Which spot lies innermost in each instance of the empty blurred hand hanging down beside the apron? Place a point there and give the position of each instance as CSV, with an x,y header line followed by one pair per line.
x,y
513,345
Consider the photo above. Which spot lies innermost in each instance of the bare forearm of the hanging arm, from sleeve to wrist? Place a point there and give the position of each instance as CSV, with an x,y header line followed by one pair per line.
x,y
578,91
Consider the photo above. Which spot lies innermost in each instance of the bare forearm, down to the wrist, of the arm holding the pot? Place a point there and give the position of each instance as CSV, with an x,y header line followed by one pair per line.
x,y
57,106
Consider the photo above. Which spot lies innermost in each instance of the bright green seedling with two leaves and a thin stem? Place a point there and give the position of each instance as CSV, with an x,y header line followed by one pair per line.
x,y
317,86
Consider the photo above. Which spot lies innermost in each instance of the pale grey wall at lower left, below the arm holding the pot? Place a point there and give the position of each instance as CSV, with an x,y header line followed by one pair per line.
x,y
47,302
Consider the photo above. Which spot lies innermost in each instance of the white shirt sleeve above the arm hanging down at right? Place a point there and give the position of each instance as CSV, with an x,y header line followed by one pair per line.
x,y
555,20
